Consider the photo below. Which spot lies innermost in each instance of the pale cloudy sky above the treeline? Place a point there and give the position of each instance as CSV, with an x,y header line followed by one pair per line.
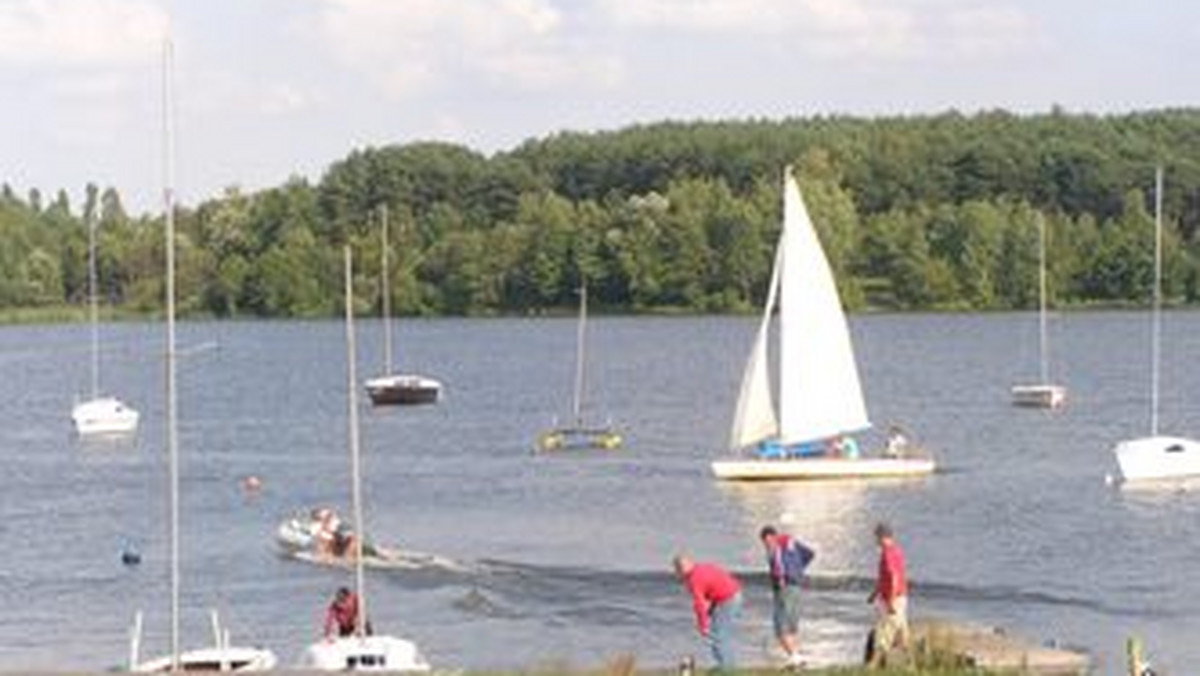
x,y
266,91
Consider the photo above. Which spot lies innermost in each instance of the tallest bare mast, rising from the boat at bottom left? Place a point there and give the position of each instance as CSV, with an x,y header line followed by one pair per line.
x,y
169,199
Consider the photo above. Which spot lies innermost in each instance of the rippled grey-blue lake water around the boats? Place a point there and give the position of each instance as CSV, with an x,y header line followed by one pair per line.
x,y
567,558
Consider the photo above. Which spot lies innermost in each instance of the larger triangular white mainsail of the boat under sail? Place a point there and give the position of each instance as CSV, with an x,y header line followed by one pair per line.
x,y
820,394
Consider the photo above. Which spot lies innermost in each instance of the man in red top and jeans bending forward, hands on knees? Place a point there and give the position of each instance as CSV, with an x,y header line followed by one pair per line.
x,y
717,602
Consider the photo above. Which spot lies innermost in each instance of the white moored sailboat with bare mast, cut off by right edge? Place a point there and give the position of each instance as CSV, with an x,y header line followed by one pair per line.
x,y
1157,457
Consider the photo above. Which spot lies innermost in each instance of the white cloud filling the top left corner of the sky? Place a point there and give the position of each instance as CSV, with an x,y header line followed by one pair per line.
x,y
80,33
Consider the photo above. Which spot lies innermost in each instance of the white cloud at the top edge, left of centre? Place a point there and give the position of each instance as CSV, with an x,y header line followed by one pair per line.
x,y
419,45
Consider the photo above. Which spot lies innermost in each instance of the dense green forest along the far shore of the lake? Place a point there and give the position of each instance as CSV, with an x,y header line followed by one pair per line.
x,y
916,213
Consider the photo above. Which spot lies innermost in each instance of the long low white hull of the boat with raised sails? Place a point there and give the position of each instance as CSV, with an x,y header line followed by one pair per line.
x,y
821,469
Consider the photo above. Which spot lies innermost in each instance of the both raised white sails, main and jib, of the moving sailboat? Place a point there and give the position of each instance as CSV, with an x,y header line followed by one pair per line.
x,y
820,394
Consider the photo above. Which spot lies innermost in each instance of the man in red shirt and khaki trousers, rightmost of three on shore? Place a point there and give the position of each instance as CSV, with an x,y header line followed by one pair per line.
x,y
891,600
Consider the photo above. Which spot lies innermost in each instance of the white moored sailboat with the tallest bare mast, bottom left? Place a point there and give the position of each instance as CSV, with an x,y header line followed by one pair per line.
x,y
221,656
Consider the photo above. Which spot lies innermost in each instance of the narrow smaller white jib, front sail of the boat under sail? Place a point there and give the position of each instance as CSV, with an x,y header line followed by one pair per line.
x,y
755,416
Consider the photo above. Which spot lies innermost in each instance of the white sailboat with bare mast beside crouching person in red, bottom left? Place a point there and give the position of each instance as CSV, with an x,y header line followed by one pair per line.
x,y
363,651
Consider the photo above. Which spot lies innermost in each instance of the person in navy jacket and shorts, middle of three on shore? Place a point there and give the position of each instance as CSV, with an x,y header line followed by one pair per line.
x,y
787,560
